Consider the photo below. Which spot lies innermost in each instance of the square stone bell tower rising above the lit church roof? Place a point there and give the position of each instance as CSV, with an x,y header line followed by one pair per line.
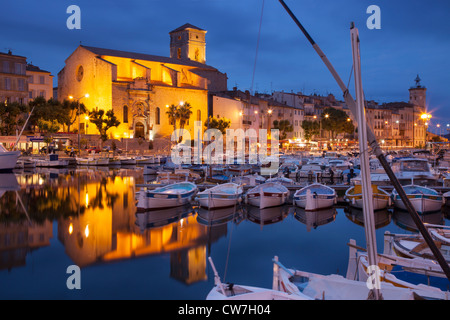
x,y
188,43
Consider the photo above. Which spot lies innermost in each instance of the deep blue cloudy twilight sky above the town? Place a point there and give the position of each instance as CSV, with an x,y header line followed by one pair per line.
x,y
414,39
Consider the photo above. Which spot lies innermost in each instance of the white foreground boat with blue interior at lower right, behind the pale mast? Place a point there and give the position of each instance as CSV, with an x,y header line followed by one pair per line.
x,y
423,276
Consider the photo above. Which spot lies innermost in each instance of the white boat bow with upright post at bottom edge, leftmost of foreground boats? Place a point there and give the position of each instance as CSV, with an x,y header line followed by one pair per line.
x,y
226,291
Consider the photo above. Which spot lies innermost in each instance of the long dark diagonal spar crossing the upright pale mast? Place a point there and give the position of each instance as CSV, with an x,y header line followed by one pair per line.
x,y
377,150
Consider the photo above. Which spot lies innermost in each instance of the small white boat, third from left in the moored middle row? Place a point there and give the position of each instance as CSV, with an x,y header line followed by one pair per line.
x,y
267,195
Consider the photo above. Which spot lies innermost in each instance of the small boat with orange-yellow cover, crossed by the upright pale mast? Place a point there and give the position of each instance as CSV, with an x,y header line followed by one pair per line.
x,y
354,197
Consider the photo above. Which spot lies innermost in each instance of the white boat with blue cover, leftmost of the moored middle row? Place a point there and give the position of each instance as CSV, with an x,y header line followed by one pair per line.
x,y
173,195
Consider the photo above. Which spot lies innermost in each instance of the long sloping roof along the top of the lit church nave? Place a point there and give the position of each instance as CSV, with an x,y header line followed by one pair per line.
x,y
145,57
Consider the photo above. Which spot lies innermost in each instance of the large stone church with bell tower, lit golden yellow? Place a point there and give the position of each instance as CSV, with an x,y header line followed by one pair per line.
x,y
139,87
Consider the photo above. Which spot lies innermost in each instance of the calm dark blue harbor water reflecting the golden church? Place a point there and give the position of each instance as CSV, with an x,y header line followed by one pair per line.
x,y
52,220
